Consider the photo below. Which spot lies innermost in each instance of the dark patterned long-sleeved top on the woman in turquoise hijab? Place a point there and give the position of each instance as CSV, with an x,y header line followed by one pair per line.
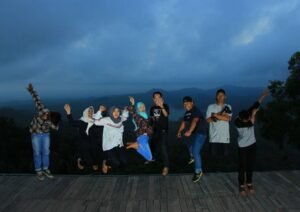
x,y
143,125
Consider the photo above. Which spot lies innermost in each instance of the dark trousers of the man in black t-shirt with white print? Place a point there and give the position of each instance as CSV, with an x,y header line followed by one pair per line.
x,y
159,145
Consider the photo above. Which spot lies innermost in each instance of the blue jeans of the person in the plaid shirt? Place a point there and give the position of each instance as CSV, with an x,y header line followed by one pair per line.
x,y
40,145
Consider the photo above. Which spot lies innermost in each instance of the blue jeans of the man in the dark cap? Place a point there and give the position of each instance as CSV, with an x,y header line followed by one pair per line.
x,y
197,141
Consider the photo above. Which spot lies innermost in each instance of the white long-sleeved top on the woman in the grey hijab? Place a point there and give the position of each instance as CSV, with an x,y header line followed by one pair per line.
x,y
112,132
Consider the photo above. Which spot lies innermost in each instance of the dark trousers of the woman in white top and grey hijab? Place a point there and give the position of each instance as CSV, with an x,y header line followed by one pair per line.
x,y
117,157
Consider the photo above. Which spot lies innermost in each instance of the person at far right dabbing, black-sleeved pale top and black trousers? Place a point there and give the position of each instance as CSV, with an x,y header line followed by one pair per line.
x,y
247,145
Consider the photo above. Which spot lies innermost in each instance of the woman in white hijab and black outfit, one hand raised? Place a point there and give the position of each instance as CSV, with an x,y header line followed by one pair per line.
x,y
88,145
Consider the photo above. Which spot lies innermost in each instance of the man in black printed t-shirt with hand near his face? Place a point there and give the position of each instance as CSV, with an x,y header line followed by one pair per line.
x,y
159,114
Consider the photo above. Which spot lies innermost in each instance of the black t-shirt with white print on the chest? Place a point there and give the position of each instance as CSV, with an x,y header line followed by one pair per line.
x,y
159,121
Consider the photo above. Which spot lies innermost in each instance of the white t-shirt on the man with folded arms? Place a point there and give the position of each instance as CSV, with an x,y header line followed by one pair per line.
x,y
219,130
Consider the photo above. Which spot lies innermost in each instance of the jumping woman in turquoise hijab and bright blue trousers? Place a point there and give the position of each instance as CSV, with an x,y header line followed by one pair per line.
x,y
142,128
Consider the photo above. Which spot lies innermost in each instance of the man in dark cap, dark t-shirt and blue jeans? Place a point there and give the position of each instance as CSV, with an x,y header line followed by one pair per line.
x,y
195,129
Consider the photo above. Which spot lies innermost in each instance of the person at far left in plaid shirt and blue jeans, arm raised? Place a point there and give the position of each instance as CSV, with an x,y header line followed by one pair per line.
x,y
40,127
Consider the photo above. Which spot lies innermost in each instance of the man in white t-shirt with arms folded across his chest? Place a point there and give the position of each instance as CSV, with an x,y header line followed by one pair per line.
x,y
218,116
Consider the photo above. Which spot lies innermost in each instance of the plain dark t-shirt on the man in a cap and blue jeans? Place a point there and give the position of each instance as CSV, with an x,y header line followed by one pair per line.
x,y
201,127
